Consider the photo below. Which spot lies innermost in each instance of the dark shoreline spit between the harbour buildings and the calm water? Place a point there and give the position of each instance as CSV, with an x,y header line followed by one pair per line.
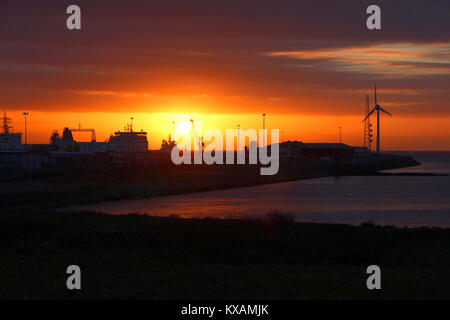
x,y
73,187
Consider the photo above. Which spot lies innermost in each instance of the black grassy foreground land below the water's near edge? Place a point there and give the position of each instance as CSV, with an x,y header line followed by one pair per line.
x,y
169,258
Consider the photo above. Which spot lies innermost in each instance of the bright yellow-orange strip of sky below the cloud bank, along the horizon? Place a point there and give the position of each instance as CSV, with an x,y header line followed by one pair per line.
x,y
430,132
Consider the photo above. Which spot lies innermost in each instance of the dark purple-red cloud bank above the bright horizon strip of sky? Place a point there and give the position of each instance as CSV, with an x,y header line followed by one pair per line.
x,y
145,52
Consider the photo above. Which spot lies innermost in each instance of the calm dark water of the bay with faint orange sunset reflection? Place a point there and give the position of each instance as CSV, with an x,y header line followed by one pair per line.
x,y
393,200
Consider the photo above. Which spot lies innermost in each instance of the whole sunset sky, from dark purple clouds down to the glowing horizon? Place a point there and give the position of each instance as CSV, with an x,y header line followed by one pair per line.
x,y
307,64
